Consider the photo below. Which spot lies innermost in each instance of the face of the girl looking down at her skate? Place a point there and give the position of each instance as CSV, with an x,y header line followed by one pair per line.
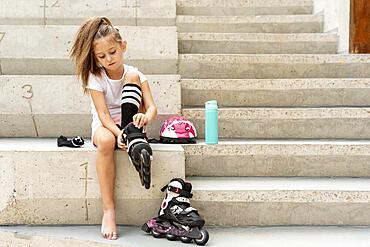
x,y
109,53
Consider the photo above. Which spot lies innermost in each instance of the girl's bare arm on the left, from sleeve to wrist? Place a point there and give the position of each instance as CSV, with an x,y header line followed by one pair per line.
x,y
103,112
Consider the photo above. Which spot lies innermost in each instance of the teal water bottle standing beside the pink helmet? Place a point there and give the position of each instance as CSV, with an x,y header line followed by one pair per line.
x,y
211,122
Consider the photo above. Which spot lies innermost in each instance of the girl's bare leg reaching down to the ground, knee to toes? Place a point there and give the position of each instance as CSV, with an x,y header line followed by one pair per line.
x,y
105,141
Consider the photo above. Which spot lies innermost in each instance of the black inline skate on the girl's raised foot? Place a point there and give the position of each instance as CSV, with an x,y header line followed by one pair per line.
x,y
139,152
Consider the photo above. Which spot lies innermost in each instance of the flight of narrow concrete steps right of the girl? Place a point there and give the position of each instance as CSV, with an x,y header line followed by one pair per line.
x,y
290,121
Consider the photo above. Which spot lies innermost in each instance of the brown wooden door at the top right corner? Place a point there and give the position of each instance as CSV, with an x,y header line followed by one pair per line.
x,y
360,26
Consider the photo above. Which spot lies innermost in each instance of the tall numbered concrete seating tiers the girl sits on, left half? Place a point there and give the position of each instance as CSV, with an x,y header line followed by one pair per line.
x,y
41,99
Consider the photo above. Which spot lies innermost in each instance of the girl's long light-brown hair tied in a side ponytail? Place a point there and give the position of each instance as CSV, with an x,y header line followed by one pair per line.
x,y
82,49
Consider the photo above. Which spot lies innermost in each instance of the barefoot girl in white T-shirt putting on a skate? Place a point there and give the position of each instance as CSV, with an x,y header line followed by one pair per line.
x,y
119,93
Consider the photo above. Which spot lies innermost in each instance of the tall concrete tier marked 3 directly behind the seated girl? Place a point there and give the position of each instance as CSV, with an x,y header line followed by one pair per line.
x,y
23,112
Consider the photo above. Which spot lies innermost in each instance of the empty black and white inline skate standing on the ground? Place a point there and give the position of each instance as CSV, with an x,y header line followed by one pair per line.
x,y
176,218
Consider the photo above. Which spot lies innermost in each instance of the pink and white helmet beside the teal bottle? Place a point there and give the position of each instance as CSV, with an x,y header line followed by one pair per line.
x,y
177,129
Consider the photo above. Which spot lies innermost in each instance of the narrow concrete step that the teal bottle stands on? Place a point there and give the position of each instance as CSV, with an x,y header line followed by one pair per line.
x,y
275,158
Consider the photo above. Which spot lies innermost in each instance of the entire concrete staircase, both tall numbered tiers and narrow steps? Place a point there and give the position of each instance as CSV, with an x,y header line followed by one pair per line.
x,y
293,122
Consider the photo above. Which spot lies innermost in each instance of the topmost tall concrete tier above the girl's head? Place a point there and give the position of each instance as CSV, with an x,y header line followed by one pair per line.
x,y
70,12
